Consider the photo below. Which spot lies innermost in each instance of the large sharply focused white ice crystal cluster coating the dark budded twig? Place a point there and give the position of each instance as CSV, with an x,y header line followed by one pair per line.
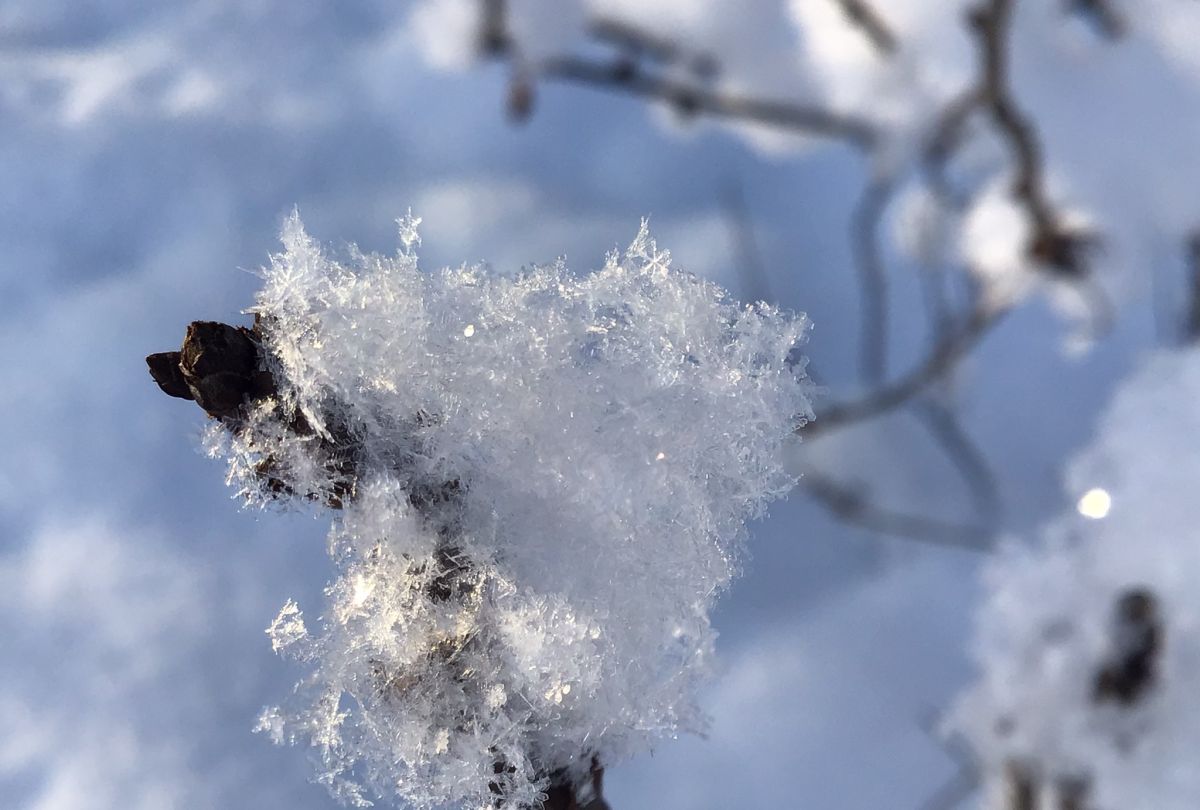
x,y
543,483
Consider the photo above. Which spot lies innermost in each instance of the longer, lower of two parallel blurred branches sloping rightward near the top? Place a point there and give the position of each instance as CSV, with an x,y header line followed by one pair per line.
x,y
694,99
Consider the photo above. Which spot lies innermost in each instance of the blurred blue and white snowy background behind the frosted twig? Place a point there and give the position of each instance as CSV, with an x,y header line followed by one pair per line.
x,y
845,164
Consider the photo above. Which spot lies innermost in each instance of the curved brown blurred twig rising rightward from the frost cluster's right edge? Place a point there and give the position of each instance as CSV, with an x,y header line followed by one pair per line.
x,y
944,358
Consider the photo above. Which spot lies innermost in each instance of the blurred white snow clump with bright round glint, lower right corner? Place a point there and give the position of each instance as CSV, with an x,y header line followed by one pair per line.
x,y
1089,643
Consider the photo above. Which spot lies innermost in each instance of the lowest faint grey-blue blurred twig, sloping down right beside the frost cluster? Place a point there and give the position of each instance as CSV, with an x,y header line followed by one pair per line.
x,y
850,505
